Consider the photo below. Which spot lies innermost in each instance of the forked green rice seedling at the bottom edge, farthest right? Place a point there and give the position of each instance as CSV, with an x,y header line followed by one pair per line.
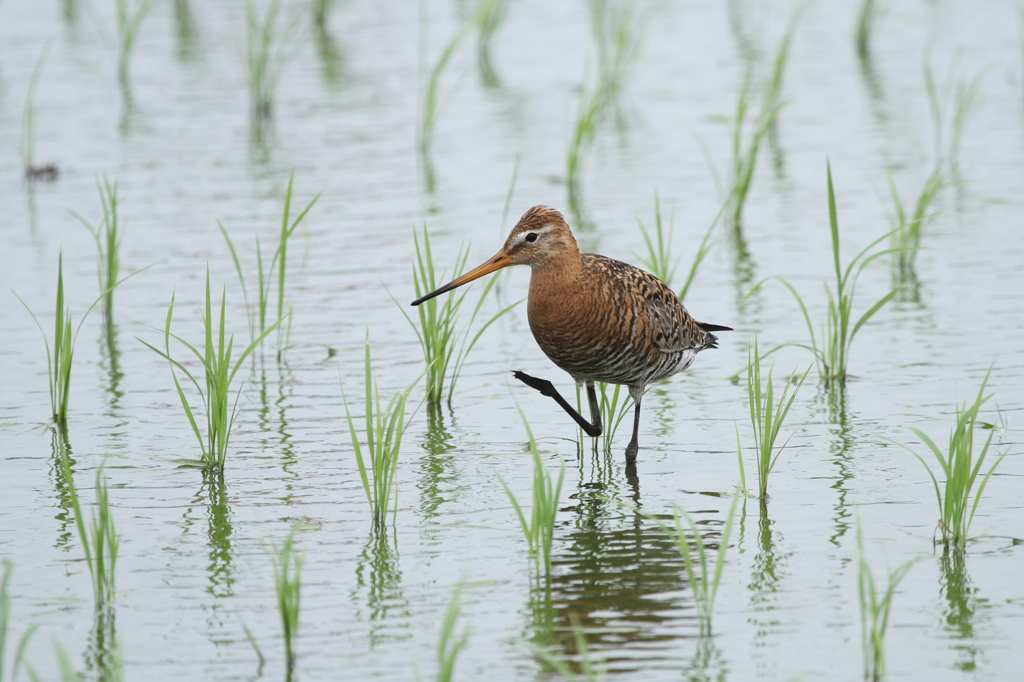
x,y
876,607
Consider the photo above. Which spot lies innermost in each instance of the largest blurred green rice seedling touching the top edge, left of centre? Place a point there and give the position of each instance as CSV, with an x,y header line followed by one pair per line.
x,y
266,56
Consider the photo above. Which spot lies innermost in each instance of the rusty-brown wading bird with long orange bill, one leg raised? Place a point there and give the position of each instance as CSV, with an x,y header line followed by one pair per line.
x,y
599,319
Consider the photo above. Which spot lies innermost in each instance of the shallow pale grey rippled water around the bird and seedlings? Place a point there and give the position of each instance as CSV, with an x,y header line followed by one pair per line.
x,y
195,568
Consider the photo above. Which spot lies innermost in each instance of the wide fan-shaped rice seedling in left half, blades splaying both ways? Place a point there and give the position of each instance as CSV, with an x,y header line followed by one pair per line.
x,y
220,369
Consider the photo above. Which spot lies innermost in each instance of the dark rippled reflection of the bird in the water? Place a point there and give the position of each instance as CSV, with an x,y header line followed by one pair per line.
x,y
621,577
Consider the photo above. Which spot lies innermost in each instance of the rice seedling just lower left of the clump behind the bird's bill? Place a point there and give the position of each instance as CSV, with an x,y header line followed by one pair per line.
x,y
378,462
